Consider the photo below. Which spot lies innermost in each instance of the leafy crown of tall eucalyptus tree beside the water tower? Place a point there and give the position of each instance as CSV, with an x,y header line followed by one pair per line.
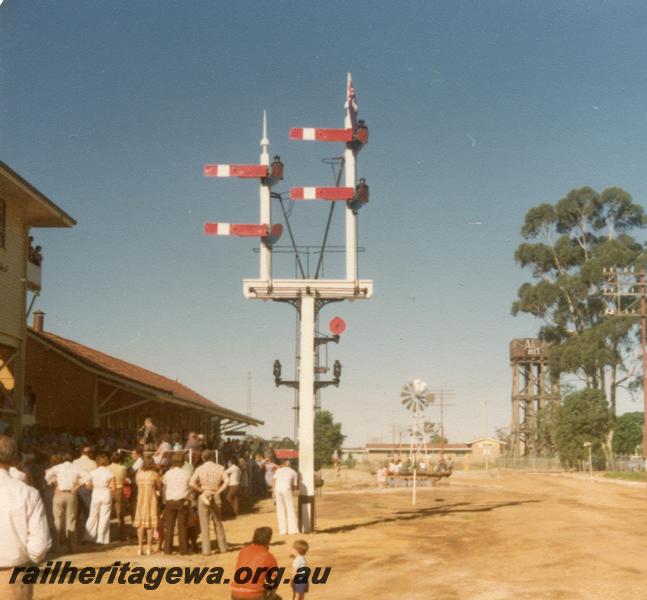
x,y
567,245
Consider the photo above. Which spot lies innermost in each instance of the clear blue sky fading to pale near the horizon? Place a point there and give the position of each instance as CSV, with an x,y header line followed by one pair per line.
x,y
477,111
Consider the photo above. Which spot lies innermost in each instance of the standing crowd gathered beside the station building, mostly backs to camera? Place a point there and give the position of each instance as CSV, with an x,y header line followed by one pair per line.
x,y
152,482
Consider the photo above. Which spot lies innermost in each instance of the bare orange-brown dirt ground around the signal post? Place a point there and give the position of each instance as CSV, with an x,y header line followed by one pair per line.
x,y
514,535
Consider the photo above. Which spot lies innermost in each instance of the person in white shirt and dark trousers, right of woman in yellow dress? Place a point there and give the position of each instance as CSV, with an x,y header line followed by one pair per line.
x,y
177,503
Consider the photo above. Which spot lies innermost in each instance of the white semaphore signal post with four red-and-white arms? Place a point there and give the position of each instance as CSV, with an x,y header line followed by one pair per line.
x,y
308,295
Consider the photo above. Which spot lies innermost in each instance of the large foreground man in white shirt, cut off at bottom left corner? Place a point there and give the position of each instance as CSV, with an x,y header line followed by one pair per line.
x,y
24,533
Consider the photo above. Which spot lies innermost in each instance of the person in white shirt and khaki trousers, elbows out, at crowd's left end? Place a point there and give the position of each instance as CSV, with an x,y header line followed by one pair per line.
x,y
67,478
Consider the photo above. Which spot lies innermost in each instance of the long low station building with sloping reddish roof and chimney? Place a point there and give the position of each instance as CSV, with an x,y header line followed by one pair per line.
x,y
73,386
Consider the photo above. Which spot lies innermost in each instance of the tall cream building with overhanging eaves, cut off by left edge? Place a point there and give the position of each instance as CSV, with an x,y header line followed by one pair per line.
x,y
22,208
